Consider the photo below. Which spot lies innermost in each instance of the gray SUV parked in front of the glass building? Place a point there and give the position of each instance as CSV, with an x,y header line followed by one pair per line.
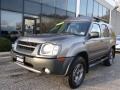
x,y
68,49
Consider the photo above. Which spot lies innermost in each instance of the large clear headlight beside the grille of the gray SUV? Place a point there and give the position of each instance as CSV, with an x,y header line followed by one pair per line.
x,y
49,49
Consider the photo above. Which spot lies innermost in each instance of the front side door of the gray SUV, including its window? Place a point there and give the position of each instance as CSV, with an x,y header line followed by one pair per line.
x,y
95,45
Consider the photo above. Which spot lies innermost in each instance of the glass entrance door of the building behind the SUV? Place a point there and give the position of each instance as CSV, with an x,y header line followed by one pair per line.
x,y
29,26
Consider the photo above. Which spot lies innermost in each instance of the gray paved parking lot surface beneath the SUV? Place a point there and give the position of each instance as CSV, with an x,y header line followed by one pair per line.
x,y
100,77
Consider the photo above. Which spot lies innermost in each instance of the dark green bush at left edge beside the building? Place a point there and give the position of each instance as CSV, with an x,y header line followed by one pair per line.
x,y
5,44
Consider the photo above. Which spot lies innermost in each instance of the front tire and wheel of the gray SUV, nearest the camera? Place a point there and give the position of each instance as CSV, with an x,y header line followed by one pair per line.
x,y
77,73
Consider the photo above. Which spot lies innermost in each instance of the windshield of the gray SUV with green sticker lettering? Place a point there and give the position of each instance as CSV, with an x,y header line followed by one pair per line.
x,y
77,28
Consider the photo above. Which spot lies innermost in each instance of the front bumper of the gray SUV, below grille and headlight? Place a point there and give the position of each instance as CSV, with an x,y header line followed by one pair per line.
x,y
39,65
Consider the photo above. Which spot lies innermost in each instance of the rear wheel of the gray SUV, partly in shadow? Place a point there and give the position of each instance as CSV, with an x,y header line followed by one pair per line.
x,y
110,59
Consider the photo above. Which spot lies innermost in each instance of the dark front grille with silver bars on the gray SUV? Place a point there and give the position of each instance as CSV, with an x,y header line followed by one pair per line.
x,y
26,46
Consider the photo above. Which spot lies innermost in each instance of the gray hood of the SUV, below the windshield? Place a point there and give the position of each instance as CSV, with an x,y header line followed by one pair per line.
x,y
48,38
